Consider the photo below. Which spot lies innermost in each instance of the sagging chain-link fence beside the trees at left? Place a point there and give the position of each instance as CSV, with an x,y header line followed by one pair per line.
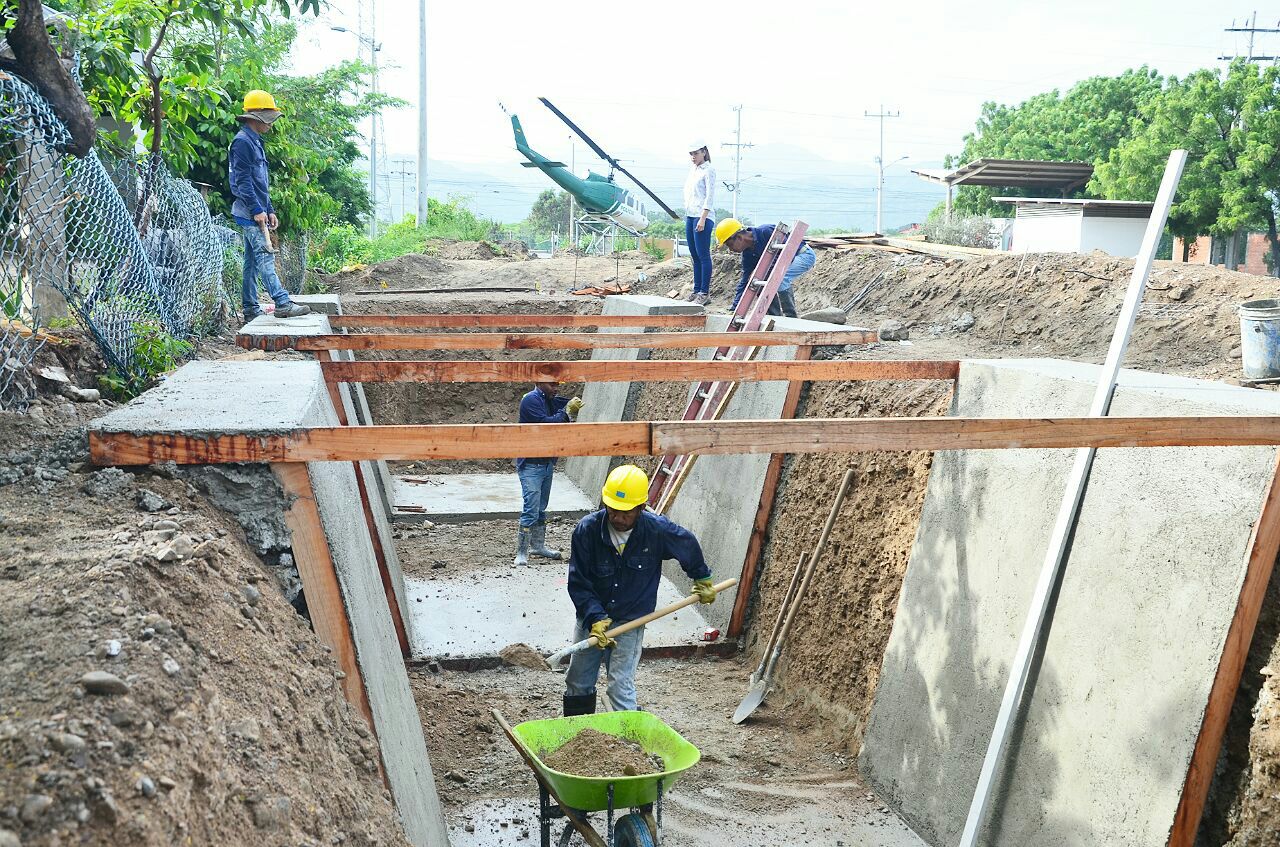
x,y
122,245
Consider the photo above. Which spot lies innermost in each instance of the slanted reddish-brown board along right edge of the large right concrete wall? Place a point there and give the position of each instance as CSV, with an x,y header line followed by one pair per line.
x,y
1264,548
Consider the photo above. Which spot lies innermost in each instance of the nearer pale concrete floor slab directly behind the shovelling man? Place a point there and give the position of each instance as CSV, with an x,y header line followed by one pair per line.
x,y
479,613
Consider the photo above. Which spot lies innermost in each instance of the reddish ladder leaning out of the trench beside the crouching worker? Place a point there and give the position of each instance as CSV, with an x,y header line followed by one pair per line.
x,y
711,397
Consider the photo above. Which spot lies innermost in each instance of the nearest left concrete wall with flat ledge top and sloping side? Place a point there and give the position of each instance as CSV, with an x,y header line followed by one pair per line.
x,y
273,397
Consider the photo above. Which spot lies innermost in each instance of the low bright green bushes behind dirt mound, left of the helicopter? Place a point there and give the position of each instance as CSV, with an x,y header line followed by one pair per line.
x,y
344,245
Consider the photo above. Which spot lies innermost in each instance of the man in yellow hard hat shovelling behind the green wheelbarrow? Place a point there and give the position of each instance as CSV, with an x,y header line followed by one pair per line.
x,y
614,571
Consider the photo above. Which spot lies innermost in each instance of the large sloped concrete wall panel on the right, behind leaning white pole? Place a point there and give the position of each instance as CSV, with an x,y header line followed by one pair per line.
x,y
1105,739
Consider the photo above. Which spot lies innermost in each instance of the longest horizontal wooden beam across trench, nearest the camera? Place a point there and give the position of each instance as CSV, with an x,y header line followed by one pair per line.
x,y
815,436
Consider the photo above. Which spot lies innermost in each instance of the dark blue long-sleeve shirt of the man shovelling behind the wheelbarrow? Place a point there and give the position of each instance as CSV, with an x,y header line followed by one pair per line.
x,y
624,587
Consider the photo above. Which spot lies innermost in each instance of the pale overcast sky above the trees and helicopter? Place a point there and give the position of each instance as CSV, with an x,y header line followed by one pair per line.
x,y
644,80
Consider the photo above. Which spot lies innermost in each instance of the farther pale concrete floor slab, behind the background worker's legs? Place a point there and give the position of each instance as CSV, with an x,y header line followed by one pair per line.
x,y
460,498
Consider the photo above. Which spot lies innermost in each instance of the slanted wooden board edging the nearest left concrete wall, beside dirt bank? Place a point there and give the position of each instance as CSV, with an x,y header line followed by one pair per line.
x,y
321,583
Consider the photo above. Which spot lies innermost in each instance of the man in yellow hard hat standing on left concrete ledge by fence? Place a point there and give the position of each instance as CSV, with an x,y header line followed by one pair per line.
x,y
253,210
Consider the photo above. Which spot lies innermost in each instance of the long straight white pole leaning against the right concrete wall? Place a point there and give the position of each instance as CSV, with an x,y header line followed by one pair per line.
x,y
1055,558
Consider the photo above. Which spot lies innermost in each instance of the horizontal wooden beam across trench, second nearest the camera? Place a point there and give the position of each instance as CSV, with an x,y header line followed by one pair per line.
x,y
634,372
